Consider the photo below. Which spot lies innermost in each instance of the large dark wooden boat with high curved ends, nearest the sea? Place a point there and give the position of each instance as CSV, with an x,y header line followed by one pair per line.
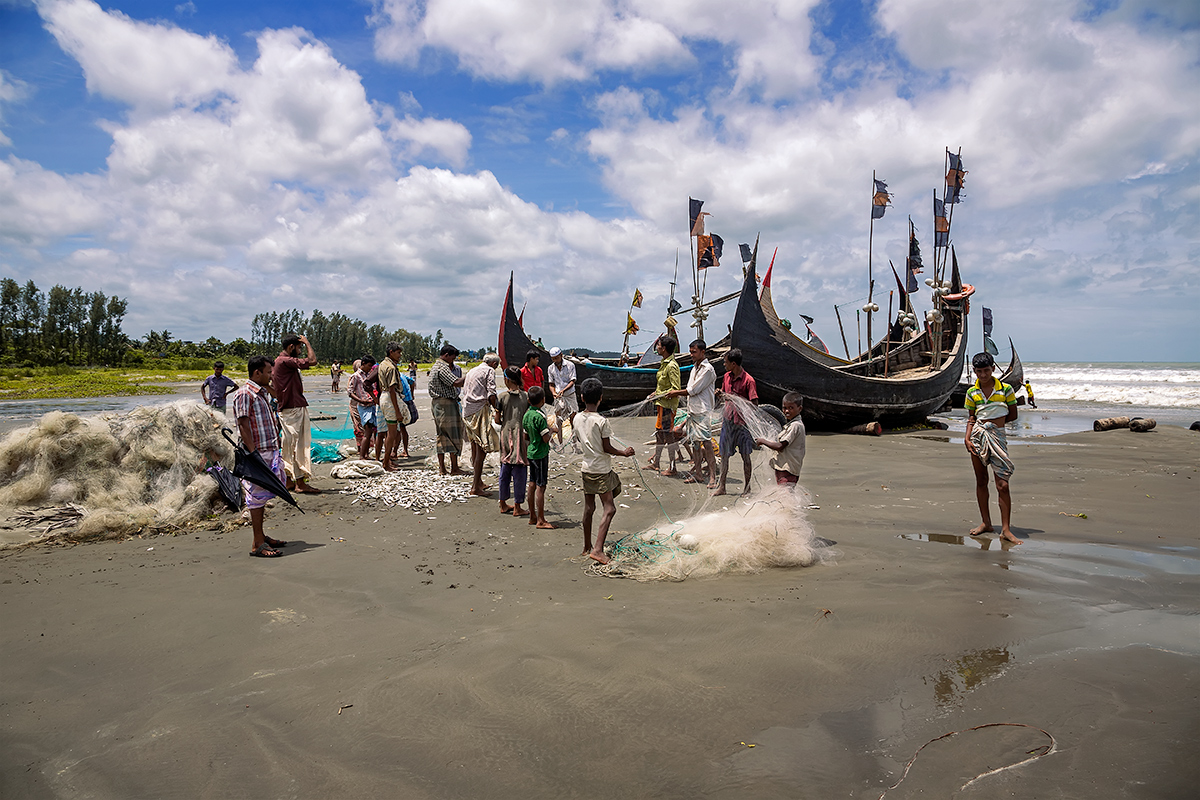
x,y
897,387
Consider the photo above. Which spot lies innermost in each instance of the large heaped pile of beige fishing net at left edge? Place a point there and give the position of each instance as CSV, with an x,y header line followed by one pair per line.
x,y
142,471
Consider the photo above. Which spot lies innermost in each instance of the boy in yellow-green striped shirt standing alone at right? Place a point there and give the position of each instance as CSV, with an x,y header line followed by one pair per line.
x,y
991,406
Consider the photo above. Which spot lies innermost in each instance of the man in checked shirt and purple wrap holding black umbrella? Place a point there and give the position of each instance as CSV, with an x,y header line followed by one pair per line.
x,y
256,425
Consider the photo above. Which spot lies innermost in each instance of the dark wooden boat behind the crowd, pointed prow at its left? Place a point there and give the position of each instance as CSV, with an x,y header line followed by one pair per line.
x,y
623,386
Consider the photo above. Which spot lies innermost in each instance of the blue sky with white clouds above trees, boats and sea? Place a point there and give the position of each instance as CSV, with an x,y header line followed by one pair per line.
x,y
395,161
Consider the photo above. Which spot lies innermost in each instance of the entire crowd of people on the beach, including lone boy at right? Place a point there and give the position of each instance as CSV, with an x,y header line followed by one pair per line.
x,y
273,419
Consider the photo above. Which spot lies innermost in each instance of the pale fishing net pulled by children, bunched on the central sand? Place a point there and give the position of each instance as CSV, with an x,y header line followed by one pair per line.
x,y
767,530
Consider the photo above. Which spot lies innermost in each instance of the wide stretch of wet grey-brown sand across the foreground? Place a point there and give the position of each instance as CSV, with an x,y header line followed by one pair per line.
x,y
470,655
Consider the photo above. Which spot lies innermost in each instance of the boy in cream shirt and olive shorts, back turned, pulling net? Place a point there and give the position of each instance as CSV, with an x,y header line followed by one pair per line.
x,y
599,479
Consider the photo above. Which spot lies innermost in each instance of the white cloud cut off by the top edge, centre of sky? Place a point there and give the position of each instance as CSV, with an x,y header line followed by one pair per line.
x,y
551,41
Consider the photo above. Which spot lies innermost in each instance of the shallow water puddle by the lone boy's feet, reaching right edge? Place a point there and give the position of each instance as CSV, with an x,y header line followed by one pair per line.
x,y
1049,557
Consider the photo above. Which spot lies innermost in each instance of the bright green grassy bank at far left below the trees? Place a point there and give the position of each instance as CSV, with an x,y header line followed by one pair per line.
x,y
50,383
